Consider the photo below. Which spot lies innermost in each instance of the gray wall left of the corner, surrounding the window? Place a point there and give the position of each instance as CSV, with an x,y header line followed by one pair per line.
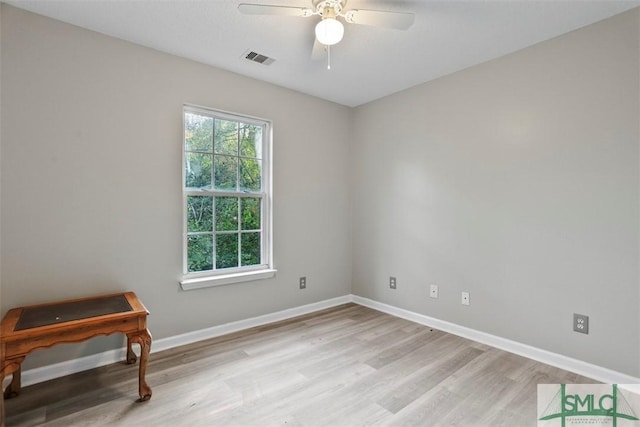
x,y
91,180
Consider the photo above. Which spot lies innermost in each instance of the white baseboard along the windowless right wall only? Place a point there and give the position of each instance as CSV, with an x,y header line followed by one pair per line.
x,y
598,373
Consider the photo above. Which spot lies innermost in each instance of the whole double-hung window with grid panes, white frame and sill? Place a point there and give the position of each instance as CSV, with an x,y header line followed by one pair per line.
x,y
226,198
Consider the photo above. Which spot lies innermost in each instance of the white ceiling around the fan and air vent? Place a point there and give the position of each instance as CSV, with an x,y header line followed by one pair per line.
x,y
368,64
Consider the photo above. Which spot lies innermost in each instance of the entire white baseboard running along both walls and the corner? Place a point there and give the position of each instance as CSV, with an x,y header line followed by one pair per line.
x,y
598,373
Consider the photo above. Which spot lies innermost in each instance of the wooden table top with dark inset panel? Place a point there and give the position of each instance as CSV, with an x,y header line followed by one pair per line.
x,y
66,313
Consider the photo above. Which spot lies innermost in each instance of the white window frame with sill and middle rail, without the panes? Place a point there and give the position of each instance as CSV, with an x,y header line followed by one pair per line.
x,y
265,270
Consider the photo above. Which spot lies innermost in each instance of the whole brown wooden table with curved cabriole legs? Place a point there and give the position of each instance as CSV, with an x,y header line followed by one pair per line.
x,y
25,329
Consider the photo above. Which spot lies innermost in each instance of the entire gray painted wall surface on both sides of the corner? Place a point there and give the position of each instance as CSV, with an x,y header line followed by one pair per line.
x,y
516,180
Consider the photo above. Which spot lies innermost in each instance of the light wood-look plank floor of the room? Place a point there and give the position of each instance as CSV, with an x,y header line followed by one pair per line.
x,y
345,366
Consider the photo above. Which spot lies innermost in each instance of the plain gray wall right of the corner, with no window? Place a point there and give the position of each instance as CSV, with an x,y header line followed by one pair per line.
x,y
515,180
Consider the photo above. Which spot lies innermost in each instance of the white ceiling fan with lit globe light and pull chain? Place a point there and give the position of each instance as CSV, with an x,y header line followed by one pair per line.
x,y
329,30
